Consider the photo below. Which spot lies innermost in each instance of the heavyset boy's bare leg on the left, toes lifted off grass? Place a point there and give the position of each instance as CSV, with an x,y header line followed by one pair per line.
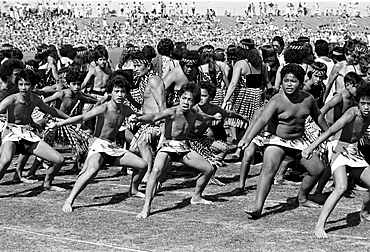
x,y
272,158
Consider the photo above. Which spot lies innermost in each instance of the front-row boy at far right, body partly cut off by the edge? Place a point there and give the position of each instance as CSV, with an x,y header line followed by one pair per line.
x,y
343,154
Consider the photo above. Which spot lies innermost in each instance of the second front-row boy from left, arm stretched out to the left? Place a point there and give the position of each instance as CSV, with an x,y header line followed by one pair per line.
x,y
104,148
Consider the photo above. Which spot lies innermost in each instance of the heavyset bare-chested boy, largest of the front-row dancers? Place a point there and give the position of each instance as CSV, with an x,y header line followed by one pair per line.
x,y
285,115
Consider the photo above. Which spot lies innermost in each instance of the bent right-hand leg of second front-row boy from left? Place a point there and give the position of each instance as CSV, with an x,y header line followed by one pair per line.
x,y
140,166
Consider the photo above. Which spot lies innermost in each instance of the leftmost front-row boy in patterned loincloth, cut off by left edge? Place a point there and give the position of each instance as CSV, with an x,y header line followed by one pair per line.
x,y
18,137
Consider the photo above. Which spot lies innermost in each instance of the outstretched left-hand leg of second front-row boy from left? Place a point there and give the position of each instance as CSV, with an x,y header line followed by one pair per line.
x,y
93,165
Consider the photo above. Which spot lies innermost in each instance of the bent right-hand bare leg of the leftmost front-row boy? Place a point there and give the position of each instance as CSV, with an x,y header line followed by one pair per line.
x,y
45,151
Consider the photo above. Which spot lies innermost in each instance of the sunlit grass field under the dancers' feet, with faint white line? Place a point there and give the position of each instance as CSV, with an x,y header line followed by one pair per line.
x,y
104,217
